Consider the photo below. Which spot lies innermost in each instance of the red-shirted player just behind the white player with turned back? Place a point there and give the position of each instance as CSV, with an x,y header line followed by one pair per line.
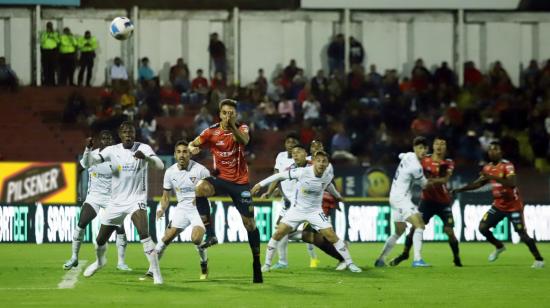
x,y
435,199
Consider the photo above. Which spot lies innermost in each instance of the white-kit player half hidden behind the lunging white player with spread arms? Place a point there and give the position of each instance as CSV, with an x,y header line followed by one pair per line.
x,y
283,162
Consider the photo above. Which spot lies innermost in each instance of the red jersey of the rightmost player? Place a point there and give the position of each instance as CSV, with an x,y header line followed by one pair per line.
x,y
507,199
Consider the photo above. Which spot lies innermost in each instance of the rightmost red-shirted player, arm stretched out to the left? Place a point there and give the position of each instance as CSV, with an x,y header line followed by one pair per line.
x,y
500,173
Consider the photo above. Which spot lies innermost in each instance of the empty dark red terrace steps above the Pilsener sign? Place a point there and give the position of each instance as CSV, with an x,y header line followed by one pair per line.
x,y
34,114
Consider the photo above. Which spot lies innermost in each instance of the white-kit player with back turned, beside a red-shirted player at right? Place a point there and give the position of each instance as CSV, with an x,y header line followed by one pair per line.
x,y
403,209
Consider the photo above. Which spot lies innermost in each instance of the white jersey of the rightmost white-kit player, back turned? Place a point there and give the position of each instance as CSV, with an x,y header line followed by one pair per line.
x,y
407,174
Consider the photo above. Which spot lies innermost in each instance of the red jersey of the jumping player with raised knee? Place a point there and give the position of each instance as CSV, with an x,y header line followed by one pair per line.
x,y
228,154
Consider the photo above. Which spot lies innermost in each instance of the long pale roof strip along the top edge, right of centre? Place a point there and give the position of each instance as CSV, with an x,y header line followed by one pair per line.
x,y
412,4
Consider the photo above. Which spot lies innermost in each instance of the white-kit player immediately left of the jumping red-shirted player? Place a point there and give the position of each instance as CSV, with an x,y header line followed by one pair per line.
x,y
182,178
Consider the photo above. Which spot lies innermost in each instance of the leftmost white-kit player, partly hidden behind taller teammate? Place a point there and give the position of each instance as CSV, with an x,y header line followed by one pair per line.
x,y
98,196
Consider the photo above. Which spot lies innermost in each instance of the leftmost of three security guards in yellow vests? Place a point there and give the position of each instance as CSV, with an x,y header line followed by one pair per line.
x,y
49,42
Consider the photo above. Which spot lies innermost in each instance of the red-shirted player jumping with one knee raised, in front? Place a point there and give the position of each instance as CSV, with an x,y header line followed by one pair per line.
x,y
227,140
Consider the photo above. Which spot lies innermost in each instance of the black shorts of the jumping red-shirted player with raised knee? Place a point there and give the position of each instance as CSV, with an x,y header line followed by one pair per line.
x,y
239,193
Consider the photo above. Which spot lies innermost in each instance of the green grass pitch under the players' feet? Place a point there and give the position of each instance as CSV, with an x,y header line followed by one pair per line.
x,y
29,275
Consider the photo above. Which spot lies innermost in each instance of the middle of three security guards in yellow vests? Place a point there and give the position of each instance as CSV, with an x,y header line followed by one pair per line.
x,y
67,57
